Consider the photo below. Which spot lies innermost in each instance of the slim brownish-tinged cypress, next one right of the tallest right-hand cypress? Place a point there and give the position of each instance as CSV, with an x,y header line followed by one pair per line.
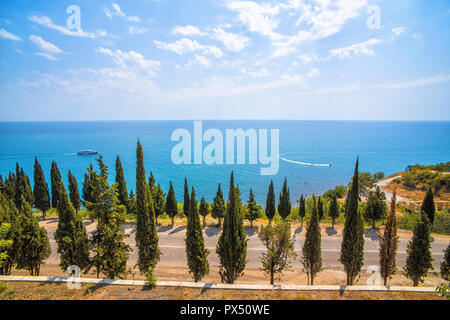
x,y
389,244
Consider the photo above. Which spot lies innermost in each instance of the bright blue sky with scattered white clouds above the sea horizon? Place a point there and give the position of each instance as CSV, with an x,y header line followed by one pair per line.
x,y
225,59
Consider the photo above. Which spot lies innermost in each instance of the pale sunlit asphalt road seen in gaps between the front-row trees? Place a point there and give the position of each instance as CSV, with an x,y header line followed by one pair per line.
x,y
171,242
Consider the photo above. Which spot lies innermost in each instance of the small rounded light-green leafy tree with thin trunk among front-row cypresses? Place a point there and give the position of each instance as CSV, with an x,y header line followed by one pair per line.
x,y
280,248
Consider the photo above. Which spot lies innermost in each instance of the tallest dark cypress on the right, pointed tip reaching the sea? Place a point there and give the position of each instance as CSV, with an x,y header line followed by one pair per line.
x,y
352,247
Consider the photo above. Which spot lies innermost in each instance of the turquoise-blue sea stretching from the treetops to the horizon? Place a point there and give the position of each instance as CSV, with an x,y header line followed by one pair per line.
x,y
382,146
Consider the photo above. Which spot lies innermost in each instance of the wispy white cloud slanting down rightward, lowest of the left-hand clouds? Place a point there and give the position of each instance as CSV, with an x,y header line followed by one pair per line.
x,y
133,60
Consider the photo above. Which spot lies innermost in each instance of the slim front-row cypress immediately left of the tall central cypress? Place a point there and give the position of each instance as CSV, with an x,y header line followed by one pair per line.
x,y
196,252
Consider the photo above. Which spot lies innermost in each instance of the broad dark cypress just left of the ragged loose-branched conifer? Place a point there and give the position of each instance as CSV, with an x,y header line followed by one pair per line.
x,y
71,236
